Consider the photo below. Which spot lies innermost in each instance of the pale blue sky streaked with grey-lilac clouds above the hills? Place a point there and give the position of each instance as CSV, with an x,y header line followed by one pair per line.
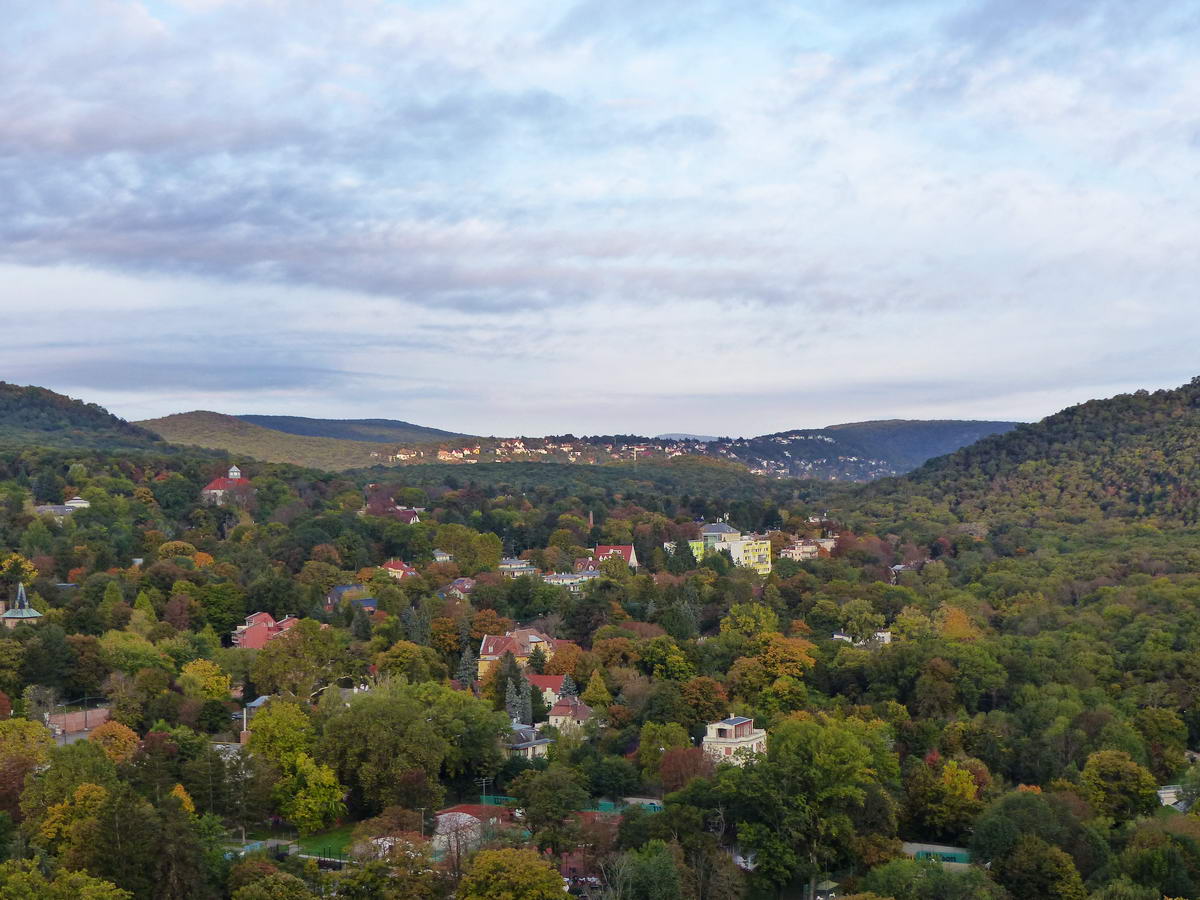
x,y
601,217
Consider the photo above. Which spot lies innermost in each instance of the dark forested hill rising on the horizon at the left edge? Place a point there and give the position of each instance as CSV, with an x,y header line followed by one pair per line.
x,y
39,417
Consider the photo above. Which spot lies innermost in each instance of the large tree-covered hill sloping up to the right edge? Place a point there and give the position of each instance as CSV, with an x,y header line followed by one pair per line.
x,y
1131,457
